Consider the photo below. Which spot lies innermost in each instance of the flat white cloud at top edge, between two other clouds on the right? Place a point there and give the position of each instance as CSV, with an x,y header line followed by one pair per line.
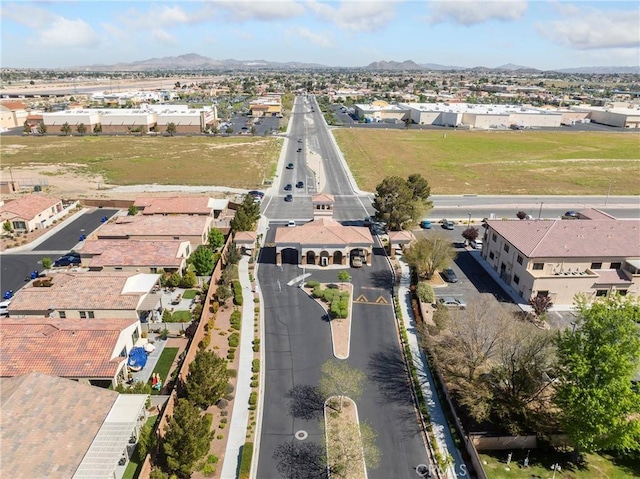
x,y
471,12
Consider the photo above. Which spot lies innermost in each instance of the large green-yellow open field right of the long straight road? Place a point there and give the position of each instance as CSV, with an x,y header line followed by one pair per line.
x,y
497,162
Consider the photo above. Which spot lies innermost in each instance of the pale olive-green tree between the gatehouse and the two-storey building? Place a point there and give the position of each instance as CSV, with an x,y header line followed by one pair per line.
x,y
429,254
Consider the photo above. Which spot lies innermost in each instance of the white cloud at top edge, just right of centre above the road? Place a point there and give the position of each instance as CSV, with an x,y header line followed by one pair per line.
x,y
357,16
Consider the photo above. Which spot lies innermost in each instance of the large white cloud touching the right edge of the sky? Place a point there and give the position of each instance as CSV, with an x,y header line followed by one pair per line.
x,y
587,29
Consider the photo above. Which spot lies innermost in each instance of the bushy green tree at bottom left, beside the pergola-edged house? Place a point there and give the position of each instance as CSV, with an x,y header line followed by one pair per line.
x,y
186,439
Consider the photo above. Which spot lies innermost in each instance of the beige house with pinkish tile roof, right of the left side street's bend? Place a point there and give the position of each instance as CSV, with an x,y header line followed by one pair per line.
x,y
142,256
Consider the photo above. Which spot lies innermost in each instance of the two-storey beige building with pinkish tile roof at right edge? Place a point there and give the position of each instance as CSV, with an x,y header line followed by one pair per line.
x,y
561,258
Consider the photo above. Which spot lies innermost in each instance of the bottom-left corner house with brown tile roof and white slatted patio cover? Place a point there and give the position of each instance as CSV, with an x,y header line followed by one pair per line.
x,y
59,429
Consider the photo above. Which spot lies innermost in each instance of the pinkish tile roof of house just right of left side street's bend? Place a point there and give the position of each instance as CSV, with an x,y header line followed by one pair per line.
x,y
132,253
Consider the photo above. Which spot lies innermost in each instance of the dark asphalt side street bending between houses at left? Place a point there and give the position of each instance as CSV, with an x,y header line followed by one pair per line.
x,y
16,267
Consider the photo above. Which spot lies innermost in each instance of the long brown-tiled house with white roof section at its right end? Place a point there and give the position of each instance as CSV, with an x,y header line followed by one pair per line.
x,y
87,295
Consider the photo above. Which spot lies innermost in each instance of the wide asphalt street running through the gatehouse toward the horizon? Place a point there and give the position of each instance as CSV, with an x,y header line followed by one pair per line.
x,y
297,334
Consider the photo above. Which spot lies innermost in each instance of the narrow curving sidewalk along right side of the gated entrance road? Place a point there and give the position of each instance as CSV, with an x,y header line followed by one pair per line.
x,y
439,424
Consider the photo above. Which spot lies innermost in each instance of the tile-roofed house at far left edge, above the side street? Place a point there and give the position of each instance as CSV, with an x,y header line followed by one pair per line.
x,y
31,212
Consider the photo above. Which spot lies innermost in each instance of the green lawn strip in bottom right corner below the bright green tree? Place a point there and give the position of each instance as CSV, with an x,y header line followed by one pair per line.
x,y
597,466
